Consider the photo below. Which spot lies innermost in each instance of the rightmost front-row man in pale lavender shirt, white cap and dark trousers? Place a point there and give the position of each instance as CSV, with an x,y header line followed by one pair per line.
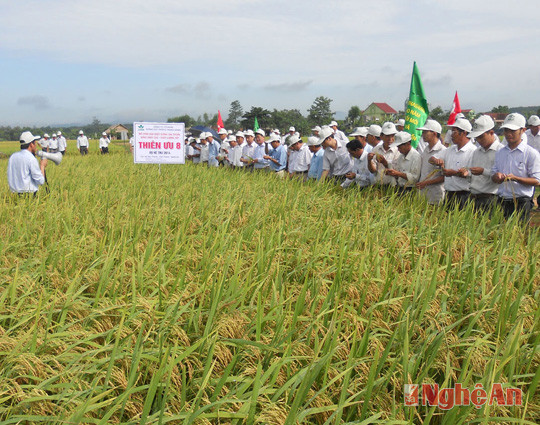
x,y
516,169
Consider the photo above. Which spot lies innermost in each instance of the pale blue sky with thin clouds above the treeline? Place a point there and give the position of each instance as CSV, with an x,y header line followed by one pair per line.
x,y
65,62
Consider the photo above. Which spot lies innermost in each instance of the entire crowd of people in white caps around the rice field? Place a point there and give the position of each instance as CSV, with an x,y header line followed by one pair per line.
x,y
471,165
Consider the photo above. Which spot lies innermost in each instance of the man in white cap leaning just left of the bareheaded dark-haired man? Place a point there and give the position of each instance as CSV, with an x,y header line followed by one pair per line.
x,y
336,161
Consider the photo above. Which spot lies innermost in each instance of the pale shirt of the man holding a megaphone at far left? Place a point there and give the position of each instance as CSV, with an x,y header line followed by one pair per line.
x,y
23,172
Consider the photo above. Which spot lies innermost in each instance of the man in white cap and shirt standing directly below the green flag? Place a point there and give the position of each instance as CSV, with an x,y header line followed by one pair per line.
x,y
407,167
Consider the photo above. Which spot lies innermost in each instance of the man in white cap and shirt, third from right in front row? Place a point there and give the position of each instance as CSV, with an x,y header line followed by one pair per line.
x,y
455,162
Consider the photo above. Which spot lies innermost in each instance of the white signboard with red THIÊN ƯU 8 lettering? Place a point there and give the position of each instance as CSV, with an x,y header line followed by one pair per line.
x,y
158,143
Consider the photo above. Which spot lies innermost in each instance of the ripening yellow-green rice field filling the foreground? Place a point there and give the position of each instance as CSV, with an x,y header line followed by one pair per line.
x,y
209,296
